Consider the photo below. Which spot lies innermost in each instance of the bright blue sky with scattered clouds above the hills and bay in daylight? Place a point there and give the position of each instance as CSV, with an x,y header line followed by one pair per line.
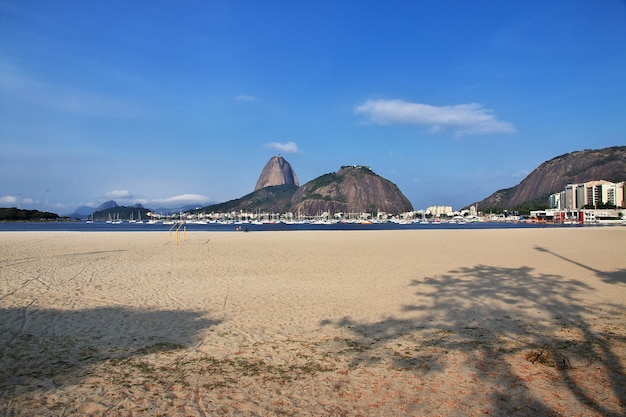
x,y
171,103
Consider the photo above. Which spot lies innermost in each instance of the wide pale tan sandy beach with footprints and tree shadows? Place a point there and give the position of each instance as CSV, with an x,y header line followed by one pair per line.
x,y
508,322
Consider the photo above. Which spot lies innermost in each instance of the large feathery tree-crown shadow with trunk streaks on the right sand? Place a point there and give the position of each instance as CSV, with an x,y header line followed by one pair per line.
x,y
489,313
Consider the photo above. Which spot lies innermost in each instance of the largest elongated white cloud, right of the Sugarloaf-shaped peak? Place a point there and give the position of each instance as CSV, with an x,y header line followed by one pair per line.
x,y
461,119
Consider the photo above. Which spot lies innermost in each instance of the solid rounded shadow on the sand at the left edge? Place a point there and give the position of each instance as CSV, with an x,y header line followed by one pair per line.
x,y
42,347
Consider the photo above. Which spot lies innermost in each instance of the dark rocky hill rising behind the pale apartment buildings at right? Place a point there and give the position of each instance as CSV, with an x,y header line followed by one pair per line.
x,y
552,176
